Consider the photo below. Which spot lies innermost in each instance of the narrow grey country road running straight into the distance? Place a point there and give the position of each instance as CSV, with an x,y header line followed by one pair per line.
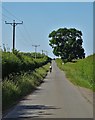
x,y
55,98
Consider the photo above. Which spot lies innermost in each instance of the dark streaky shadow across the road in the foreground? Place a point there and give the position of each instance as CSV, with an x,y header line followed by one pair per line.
x,y
34,111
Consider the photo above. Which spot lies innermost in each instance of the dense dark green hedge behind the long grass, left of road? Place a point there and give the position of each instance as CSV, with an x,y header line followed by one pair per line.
x,y
14,63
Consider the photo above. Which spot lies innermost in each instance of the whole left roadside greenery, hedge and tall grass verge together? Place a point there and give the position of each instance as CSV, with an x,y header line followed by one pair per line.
x,y
21,75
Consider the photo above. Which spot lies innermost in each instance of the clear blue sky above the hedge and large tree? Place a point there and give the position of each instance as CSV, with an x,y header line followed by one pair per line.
x,y
41,18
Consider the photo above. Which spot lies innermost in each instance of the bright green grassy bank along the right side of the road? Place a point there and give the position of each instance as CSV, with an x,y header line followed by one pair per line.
x,y
80,72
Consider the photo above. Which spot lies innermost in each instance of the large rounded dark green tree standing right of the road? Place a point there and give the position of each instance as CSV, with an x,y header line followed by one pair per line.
x,y
67,43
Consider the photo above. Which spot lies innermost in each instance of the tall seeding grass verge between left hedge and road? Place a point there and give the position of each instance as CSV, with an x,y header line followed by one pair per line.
x,y
14,90
